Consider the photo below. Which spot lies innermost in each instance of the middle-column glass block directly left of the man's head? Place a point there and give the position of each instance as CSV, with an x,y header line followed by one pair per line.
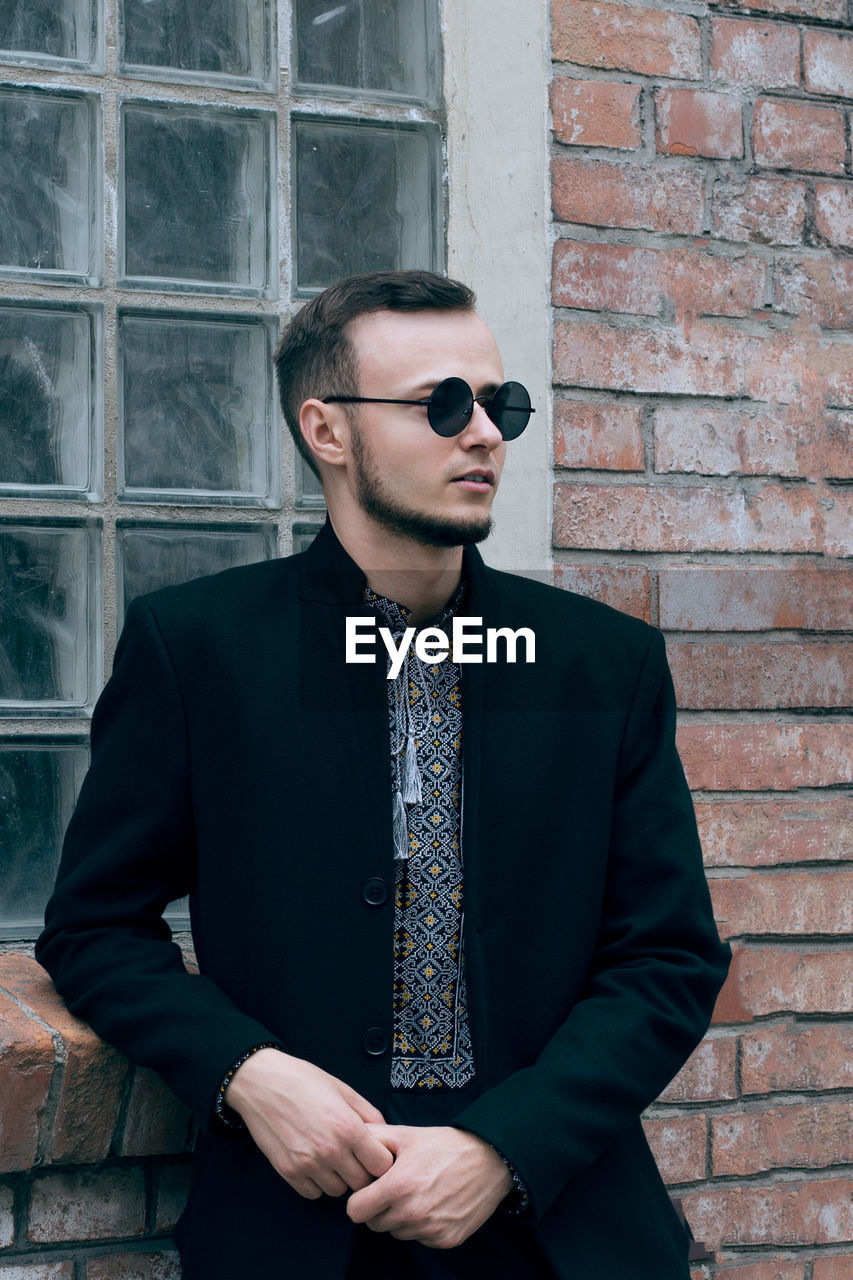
x,y
198,410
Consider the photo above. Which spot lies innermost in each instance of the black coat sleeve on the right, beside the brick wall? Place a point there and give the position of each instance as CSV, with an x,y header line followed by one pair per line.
x,y
656,971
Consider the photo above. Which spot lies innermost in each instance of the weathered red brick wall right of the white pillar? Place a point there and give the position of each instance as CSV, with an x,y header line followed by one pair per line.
x,y
703,285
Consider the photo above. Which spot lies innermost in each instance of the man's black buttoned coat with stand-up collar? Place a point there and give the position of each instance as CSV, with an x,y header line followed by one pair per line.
x,y
239,758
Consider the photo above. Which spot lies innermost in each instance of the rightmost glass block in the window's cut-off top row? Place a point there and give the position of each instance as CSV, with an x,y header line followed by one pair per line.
x,y
377,48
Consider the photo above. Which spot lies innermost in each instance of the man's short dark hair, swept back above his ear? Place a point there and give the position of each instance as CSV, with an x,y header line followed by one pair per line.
x,y
316,355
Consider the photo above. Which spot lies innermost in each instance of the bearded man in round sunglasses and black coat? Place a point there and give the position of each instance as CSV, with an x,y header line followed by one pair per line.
x,y
453,927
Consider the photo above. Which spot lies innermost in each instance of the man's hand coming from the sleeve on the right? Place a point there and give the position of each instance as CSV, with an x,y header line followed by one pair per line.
x,y
444,1185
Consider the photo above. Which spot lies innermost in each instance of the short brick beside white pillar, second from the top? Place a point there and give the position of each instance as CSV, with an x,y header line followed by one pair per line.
x,y
596,115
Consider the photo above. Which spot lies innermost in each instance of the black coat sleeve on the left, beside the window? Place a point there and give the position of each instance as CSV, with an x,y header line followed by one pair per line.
x,y
129,852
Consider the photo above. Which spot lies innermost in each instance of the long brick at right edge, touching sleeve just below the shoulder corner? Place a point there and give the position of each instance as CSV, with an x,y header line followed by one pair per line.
x,y
754,674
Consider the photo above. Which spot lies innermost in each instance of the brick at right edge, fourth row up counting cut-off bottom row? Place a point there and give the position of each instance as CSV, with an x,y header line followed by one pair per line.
x,y
790,1058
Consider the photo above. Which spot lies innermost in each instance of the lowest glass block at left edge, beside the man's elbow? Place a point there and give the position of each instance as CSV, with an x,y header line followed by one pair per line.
x,y
39,785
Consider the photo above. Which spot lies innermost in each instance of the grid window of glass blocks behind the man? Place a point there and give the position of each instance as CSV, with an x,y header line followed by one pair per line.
x,y
157,227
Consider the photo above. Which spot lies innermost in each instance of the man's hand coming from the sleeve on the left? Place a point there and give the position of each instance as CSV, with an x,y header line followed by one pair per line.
x,y
313,1128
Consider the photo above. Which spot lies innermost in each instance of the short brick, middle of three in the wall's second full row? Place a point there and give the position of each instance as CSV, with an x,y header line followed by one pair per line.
x,y
692,122
